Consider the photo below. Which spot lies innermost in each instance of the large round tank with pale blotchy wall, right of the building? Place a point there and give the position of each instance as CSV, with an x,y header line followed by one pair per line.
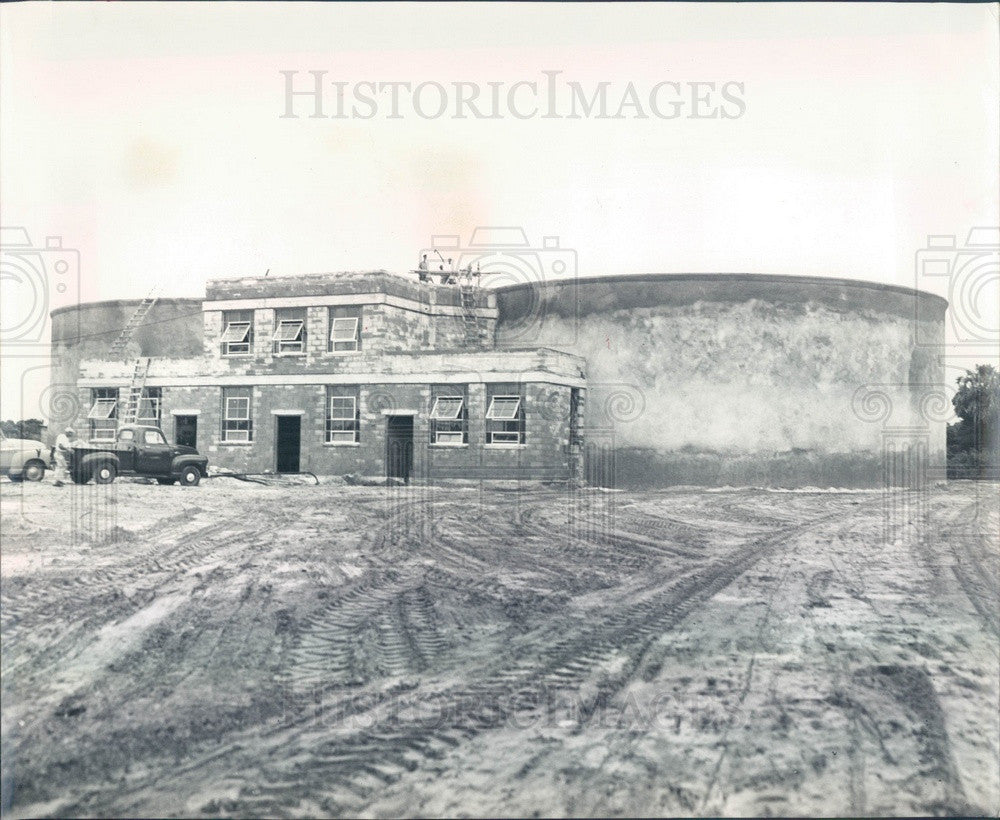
x,y
726,379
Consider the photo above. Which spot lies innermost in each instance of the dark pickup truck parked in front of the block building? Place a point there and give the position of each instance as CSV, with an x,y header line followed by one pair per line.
x,y
138,450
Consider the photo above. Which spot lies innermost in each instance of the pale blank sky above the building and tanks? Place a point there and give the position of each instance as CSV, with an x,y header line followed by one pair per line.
x,y
148,137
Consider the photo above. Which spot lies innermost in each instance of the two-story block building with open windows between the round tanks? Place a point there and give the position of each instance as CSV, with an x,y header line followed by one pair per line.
x,y
371,374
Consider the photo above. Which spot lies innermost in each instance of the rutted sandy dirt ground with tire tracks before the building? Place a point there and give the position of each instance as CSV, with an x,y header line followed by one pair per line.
x,y
250,650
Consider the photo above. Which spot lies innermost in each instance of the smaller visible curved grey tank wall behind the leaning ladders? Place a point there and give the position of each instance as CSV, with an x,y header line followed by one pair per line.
x,y
173,327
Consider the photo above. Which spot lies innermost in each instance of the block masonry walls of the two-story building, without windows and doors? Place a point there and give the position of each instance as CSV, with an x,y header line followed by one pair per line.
x,y
412,336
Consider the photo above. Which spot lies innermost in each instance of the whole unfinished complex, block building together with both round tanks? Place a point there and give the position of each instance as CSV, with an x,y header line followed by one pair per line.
x,y
626,380
